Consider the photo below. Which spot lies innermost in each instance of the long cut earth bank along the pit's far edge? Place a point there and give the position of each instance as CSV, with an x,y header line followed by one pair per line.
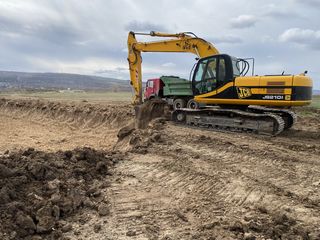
x,y
79,114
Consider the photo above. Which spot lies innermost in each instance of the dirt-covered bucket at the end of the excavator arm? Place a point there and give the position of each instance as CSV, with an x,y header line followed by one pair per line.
x,y
151,109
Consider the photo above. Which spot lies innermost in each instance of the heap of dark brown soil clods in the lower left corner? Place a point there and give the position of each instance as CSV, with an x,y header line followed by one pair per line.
x,y
39,191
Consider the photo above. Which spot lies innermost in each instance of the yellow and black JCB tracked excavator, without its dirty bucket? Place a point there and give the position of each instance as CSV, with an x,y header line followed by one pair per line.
x,y
246,103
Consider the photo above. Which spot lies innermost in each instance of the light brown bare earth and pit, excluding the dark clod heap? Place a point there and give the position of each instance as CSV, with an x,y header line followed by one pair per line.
x,y
181,183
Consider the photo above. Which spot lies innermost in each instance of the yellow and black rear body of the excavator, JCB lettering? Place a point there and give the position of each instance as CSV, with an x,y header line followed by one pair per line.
x,y
293,90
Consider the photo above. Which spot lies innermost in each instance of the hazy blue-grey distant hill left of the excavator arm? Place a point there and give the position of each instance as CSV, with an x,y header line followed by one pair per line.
x,y
23,80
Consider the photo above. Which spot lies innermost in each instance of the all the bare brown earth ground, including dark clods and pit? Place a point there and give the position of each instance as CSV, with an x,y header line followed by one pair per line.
x,y
64,174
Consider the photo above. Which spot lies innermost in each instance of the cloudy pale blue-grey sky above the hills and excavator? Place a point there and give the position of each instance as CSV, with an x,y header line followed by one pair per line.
x,y
90,37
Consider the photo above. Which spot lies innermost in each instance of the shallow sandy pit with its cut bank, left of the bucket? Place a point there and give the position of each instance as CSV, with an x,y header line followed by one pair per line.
x,y
48,125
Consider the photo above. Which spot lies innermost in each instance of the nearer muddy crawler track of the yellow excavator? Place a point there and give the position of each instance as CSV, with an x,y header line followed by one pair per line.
x,y
266,123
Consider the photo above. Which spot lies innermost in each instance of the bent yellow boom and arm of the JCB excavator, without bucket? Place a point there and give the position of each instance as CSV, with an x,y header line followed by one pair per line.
x,y
180,42
